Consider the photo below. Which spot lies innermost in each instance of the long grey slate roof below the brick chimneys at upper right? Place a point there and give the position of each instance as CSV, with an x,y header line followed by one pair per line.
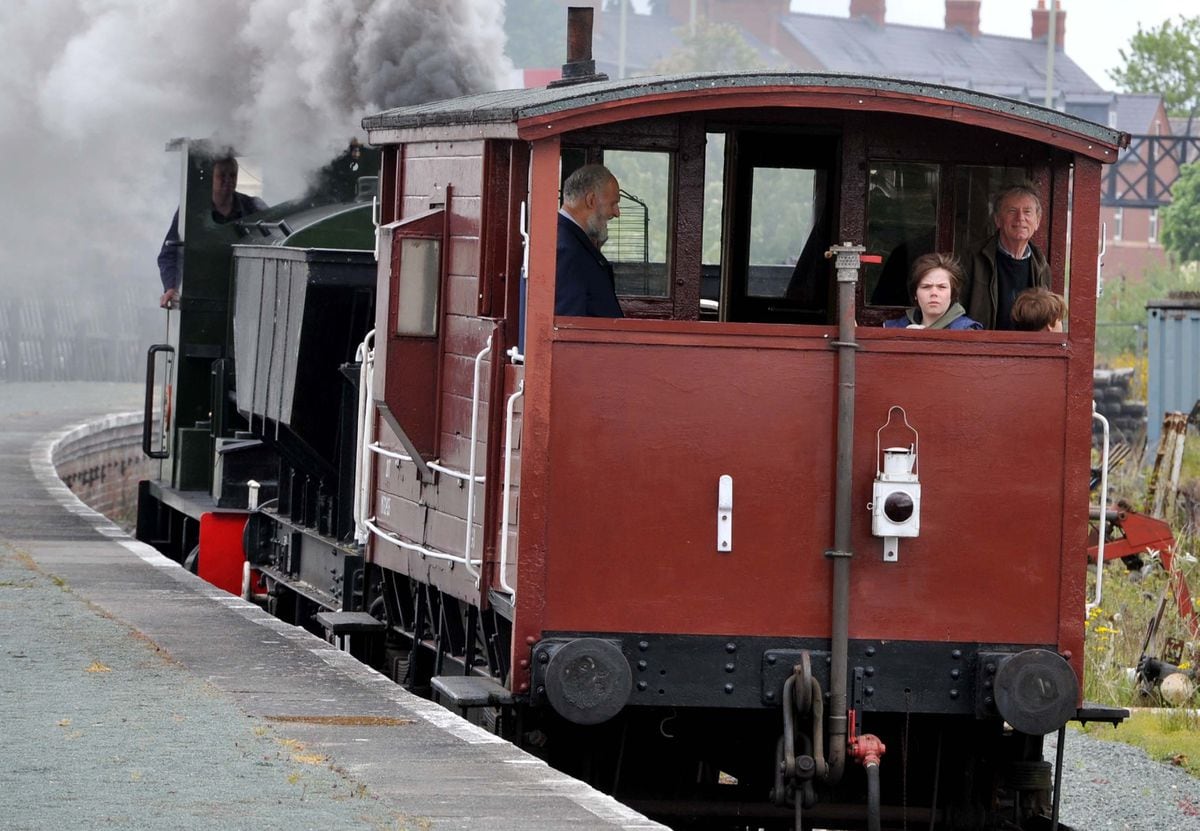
x,y
1010,67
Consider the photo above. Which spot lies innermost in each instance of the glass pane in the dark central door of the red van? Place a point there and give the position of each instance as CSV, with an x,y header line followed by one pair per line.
x,y
781,222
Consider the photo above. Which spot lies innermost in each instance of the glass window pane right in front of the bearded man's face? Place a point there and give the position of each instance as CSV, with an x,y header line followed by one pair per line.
x,y
638,240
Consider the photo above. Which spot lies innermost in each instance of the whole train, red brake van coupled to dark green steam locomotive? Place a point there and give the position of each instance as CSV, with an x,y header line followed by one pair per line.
x,y
743,558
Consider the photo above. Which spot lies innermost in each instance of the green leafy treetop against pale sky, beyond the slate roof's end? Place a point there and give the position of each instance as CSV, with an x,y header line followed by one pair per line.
x,y
1165,61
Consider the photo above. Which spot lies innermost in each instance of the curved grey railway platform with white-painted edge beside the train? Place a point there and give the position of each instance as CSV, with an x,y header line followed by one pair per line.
x,y
135,696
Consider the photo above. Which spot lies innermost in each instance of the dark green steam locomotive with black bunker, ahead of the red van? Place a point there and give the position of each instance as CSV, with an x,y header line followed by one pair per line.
x,y
249,381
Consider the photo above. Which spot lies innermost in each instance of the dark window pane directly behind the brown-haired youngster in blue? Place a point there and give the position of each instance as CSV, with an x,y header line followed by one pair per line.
x,y
902,225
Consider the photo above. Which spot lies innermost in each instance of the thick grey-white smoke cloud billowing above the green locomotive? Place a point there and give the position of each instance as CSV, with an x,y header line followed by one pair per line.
x,y
92,91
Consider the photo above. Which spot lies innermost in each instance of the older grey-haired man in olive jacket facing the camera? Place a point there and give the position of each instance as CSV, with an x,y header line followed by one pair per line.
x,y
1009,262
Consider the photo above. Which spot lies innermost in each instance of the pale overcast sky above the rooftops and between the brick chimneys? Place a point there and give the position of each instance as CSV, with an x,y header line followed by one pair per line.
x,y
1096,29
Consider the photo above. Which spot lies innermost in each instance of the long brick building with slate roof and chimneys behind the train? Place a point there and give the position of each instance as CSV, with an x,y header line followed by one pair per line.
x,y
959,55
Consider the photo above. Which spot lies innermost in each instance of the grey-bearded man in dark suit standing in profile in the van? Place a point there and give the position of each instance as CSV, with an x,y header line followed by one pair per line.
x,y
584,279
